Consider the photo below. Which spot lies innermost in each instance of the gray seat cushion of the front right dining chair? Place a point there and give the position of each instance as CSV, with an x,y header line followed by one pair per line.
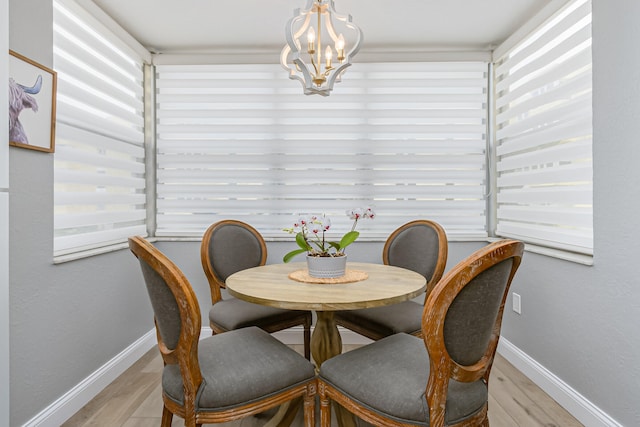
x,y
390,377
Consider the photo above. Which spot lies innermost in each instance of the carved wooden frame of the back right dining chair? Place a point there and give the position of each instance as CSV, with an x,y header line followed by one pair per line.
x,y
438,271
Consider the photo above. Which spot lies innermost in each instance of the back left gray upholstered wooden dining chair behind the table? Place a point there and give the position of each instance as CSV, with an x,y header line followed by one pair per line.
x,y
229,246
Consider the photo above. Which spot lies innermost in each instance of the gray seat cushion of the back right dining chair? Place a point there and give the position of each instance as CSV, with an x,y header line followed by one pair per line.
x,y
389,319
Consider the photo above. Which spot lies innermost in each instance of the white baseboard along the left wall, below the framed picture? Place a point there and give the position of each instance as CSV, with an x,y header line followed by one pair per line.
x,y
73,400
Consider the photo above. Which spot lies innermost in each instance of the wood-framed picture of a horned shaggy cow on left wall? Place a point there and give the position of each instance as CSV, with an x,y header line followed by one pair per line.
x,y
32,104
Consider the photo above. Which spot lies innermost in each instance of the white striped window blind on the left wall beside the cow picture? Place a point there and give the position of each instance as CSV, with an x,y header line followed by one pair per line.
x,y
99,185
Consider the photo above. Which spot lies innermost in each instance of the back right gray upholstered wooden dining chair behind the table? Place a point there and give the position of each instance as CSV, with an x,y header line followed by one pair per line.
x,y
421,246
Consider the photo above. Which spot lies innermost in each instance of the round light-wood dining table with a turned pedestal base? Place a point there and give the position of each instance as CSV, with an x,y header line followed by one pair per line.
x,y
272,285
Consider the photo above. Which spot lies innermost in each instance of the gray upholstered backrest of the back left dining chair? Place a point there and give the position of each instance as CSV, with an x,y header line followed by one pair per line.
x,y
232,248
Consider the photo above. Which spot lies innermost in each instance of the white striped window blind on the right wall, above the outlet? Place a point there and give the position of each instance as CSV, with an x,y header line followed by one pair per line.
x,y
544,134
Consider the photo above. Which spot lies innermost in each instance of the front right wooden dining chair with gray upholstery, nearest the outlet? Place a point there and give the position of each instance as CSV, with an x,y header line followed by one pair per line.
x,y
441,379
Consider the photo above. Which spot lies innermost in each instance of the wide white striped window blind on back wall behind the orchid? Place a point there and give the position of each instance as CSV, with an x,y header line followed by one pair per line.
x,y
243,142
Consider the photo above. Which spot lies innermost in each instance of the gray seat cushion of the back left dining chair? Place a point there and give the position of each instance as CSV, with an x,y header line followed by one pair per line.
x,y
234,313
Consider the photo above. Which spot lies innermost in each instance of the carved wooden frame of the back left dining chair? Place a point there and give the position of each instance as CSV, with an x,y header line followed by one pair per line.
x,y
216,283
